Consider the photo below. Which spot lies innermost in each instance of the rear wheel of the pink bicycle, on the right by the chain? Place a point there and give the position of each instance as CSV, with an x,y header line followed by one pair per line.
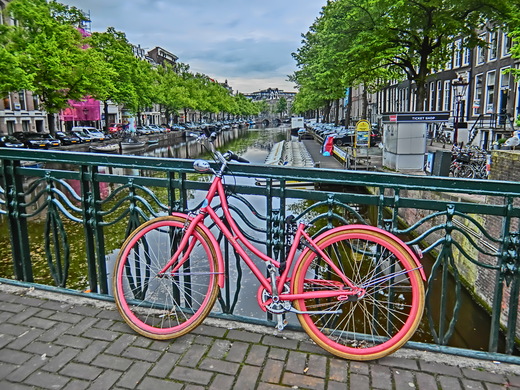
x,y
383,319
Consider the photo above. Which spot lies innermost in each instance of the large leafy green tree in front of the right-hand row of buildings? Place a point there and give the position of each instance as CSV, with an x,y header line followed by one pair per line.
x,y
369,41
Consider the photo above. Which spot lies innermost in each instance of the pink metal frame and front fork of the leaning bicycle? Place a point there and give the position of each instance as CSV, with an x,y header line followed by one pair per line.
x,y
235,237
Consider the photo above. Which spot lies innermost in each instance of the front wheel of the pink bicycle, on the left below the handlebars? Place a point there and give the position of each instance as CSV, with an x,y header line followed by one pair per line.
x,y
165,306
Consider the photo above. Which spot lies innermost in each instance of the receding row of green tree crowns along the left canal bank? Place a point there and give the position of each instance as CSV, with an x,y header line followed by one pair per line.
x,y
48,53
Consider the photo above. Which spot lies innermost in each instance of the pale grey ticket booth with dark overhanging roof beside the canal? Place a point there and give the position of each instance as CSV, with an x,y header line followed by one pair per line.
x,y
404,138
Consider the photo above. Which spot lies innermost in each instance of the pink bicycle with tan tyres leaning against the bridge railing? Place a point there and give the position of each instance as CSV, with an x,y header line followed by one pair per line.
x,y
357,290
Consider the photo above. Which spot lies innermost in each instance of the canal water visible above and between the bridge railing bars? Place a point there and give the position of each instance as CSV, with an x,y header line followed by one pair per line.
x,y
254,145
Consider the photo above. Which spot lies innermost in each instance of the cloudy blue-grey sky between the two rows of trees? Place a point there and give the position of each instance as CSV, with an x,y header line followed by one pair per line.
x,y
249,43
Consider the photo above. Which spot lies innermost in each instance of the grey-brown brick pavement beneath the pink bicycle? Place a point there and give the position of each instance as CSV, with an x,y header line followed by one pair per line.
x,y
58,341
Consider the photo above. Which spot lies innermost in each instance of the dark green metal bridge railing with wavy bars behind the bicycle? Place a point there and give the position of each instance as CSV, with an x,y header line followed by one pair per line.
x,y
67,213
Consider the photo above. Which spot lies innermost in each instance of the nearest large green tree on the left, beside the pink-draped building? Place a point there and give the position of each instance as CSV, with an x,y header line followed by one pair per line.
x,y
50,55
